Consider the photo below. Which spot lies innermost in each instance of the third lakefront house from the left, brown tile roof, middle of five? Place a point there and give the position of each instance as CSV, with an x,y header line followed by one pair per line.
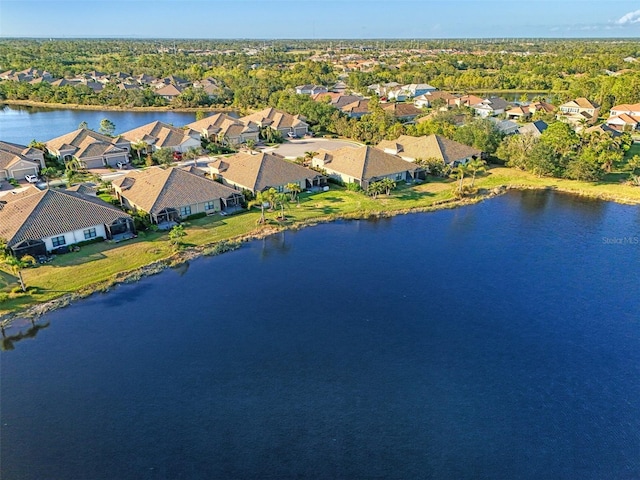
x,y
261,171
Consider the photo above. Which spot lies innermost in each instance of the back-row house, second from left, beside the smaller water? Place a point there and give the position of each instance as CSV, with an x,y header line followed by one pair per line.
x,y
91,149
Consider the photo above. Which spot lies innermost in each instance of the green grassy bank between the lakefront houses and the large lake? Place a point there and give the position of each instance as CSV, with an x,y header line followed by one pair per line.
x,y
99,266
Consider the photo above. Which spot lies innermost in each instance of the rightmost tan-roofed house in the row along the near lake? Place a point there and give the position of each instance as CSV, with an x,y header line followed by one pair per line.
x,y
410,149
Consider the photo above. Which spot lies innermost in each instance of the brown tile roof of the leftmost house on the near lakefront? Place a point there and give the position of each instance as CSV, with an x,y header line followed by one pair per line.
x,y
37,214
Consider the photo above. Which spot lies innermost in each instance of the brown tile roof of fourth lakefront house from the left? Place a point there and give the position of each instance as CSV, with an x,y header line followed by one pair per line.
x,y
363,163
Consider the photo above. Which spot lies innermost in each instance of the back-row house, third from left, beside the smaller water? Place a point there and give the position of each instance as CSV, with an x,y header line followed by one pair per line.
x,y
162,135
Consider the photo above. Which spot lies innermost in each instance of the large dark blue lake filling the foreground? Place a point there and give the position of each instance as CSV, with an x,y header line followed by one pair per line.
x,y
495,341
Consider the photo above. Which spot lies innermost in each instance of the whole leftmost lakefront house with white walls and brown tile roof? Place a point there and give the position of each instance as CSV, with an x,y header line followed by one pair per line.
x,y
57,218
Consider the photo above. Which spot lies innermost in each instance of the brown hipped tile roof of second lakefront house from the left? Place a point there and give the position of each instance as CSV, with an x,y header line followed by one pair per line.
x,y
155,189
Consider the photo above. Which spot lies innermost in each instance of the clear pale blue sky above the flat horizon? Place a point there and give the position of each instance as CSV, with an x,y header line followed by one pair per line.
x,y
319,19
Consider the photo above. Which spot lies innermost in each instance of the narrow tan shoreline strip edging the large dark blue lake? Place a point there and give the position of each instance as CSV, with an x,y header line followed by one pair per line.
x,y
33,312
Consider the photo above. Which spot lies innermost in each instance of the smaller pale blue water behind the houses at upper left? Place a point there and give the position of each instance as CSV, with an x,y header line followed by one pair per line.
x,y
23,124
